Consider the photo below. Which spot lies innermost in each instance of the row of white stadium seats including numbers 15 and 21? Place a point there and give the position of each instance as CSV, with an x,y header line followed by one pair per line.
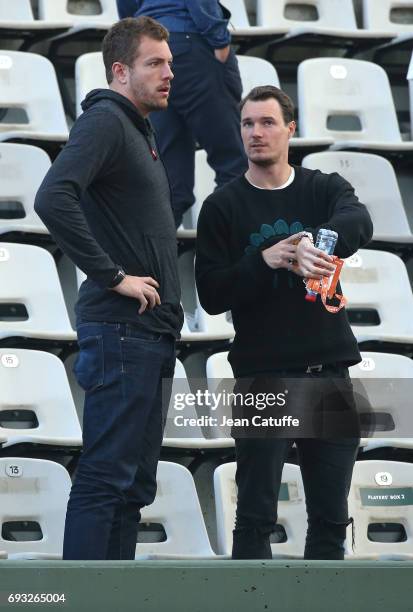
x,y
38,412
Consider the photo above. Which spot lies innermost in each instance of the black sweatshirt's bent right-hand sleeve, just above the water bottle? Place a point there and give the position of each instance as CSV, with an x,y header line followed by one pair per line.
x,y
347,216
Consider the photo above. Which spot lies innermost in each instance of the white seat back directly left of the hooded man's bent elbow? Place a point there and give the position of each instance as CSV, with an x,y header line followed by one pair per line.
x,y
22,169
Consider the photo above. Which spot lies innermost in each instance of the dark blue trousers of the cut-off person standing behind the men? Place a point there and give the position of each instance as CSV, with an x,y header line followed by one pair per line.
x,y
203,108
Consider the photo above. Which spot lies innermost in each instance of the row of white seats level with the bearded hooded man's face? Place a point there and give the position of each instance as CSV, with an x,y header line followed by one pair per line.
x,y
336,108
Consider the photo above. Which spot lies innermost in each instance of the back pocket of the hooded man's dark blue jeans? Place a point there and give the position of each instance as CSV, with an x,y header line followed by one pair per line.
x,y
89,365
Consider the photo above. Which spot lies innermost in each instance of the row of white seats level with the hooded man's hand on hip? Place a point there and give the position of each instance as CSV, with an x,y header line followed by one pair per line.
x,y
376,284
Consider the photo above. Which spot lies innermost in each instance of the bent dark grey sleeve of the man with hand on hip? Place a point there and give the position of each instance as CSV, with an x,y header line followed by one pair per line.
x,y
95,141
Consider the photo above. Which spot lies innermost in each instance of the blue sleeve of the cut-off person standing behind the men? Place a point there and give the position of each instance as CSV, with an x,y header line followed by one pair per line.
x,y
209,19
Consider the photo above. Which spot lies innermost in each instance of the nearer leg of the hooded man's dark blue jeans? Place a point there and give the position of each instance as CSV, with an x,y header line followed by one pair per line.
x,y
120,373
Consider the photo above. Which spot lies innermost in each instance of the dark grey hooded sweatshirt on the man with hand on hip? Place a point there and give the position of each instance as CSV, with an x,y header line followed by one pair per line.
x,y
106,202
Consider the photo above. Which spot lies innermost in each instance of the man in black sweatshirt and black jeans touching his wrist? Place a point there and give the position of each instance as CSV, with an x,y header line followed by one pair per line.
x,y
254,248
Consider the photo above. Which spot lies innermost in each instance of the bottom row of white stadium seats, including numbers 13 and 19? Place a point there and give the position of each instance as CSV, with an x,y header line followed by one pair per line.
x,y
34,494
